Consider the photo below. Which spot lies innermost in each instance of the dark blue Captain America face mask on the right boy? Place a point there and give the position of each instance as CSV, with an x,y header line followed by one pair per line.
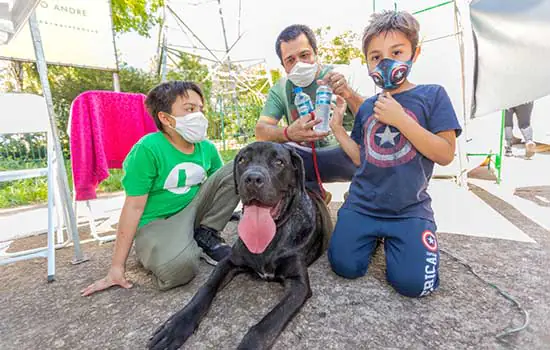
x,y
389,74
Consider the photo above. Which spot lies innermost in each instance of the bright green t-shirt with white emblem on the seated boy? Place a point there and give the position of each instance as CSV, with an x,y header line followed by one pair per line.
x,y
171,178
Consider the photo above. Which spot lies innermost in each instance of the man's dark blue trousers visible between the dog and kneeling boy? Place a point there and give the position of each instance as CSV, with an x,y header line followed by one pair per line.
x,y
334,165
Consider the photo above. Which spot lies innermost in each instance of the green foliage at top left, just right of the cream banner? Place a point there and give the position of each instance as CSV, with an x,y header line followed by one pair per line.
x,y
136,15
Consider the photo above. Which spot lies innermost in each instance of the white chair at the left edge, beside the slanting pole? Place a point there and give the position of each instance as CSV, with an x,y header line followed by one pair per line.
x,y
20,114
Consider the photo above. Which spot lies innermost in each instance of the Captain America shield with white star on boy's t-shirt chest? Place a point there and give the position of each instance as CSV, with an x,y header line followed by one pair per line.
x,y
385,146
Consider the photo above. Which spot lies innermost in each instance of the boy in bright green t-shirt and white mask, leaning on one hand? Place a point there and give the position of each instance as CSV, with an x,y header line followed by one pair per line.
x,y
178,194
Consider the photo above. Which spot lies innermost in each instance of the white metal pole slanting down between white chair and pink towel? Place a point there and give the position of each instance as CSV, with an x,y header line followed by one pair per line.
x,y
63,184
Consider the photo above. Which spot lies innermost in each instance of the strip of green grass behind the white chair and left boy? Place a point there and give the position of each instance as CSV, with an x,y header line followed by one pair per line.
x,y
35,191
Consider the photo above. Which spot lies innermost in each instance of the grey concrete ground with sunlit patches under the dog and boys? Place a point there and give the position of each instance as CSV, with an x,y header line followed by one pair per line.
x,y
500,231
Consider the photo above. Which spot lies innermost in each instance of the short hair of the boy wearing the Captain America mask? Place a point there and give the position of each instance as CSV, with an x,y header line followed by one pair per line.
x,y
391,21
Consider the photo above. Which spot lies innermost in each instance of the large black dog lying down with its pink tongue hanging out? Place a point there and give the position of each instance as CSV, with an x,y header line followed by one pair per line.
x,y
283,230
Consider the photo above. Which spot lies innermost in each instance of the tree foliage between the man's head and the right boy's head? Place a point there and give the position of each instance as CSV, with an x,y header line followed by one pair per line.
x,y
341,49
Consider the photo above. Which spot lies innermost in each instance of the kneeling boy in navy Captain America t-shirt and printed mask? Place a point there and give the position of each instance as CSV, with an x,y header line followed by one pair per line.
x,y
397,137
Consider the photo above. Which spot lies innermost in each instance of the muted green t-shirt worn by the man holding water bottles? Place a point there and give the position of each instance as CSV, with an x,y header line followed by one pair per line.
x,y
280,102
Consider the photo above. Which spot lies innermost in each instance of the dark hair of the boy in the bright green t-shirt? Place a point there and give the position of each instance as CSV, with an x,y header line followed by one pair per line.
x,y
162,97
